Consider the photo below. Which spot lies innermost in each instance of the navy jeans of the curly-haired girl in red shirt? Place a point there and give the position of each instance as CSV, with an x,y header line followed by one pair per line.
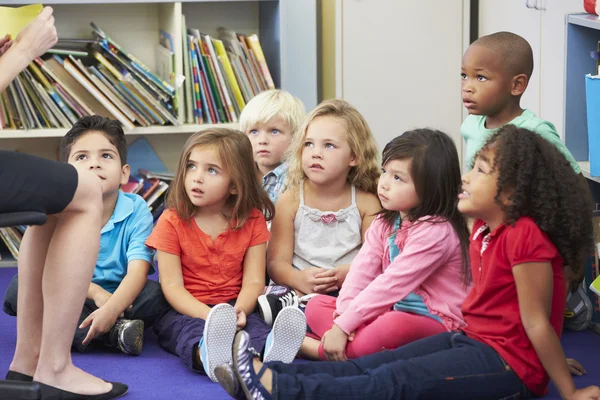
x,y
445,366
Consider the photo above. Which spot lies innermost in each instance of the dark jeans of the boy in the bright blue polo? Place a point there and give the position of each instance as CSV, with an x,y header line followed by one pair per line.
x,y
149,304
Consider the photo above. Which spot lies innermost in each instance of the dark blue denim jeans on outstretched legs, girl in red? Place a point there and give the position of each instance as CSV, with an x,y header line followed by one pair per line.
x,y
467,370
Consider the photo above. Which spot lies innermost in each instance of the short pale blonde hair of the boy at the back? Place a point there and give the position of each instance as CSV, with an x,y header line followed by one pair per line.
x,y
270,104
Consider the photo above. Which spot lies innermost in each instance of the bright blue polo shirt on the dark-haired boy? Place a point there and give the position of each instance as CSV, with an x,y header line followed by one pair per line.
x,y
122,240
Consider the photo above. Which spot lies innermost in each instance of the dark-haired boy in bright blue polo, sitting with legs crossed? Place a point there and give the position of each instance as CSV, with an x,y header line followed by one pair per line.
x,y
121,301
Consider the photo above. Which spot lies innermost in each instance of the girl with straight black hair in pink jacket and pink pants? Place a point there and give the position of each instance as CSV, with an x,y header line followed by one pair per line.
x,y
411,275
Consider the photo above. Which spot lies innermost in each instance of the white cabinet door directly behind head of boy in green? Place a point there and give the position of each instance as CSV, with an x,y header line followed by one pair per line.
x,y
514,16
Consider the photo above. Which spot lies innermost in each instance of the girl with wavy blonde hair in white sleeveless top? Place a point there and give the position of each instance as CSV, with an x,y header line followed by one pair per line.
x,y
328,205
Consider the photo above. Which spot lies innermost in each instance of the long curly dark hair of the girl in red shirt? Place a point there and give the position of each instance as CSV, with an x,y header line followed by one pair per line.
x,y
543,186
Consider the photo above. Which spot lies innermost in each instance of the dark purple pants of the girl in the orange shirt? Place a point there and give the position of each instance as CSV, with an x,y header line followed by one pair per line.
x,y
179,334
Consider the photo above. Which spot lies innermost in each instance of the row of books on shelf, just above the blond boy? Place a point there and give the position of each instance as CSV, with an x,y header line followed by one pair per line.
x,y
222,74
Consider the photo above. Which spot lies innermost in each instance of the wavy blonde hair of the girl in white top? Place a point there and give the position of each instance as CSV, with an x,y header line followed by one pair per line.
x,y
365,174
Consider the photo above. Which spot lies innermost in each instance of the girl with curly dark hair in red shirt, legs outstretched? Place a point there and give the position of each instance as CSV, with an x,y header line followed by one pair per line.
x,y
531,218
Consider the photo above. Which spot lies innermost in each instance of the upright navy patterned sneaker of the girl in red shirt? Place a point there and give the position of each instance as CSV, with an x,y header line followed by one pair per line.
x,y
243,368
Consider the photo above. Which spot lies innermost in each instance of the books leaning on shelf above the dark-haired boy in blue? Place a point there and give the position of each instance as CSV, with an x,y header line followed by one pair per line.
x,y
67,84
